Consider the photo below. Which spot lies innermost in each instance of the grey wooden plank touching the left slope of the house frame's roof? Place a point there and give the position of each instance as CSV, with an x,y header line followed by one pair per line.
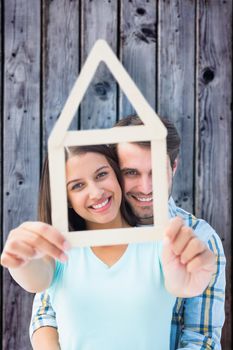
x,y
60,59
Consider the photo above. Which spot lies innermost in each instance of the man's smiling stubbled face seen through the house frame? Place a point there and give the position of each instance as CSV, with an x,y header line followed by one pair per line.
x,y
135,164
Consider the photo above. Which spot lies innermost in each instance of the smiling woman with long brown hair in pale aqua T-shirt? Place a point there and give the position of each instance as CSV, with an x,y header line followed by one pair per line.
x,y
109,297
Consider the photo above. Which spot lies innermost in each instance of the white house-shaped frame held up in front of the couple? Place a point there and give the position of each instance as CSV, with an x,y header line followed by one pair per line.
x,y
153,130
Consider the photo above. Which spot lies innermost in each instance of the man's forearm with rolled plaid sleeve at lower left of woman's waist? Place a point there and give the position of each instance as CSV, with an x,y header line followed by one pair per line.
x,y
43,326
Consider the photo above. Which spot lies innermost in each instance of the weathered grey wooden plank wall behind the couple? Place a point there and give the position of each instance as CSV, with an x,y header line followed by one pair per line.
x,y
180,55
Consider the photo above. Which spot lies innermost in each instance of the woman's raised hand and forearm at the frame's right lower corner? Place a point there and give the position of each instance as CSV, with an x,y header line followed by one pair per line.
x,y
188,264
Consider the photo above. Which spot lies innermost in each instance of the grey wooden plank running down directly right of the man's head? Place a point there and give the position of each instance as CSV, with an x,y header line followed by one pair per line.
x,y
176,74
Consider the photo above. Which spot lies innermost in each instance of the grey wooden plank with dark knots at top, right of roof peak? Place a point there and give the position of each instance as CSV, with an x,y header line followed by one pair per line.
x,y
138,49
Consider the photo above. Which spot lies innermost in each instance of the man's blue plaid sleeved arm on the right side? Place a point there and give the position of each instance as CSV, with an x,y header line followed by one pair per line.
x,y
202,317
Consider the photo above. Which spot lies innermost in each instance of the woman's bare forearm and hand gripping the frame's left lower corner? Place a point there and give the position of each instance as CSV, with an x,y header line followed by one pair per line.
x,y
29,254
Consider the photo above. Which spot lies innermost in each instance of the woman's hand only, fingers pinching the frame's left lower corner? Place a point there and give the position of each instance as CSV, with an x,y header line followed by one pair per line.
x,y
33,240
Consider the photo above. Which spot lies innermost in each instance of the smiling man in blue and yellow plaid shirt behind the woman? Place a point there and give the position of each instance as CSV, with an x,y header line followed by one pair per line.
x,y
197,322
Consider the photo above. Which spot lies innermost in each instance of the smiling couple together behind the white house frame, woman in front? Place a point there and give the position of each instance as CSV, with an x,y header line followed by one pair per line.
x,y
115,297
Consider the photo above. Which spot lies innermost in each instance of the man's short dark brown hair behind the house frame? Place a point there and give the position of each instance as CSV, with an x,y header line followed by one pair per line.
x,y
173,138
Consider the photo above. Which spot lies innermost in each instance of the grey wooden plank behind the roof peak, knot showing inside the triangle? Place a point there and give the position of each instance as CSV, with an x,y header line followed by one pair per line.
x,y
99,21
